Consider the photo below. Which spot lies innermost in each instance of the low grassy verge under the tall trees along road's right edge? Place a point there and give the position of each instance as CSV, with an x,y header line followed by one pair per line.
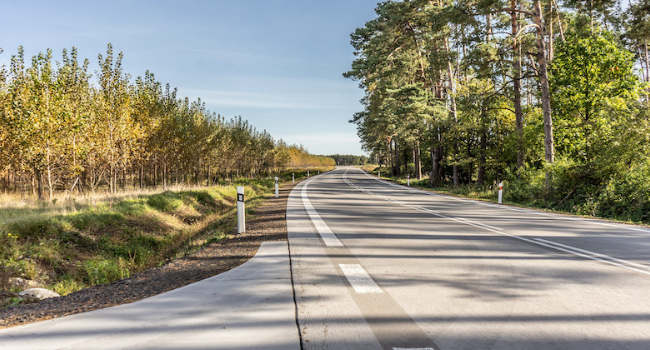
x,y
512,195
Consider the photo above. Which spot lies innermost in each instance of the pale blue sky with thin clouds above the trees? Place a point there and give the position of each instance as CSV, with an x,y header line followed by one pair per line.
x,y
276,63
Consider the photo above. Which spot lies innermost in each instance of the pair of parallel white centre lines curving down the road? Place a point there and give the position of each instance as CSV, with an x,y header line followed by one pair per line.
x,y
536,241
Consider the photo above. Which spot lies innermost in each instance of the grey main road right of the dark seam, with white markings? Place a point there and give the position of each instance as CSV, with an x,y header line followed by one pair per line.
x,y
381,266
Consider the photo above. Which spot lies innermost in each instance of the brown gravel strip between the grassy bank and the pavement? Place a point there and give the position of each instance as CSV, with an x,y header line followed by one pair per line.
x,y
269,225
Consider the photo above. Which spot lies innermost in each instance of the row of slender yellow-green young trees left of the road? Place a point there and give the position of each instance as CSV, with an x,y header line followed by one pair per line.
x,y
63,130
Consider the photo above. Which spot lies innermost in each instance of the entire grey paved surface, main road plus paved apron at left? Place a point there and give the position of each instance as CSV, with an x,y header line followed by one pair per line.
x,y
376,265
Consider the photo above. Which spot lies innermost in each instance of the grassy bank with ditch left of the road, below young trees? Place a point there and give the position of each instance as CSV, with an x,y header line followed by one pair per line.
x,y
69,245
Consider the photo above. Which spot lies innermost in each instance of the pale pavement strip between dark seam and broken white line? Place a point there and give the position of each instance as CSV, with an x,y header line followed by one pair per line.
x,y
328,315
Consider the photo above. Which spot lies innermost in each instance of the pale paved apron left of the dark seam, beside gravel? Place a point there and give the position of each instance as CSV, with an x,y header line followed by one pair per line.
x,y
249,307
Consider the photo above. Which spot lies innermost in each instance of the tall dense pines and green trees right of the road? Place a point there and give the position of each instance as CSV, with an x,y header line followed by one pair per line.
x,y
550,96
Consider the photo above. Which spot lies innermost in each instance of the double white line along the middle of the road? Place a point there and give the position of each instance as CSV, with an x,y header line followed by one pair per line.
x,y
536,241
